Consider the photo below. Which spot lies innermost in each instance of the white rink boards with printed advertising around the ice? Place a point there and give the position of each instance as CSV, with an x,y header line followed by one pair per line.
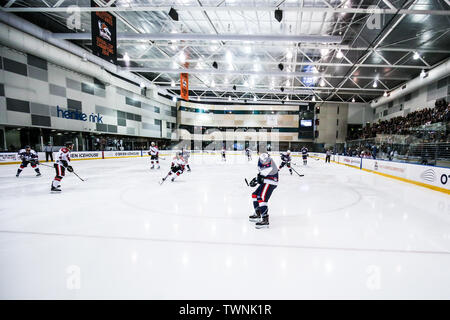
x,y
436,178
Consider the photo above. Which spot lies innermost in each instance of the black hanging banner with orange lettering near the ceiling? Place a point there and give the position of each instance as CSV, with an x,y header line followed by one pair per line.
x,y
104,35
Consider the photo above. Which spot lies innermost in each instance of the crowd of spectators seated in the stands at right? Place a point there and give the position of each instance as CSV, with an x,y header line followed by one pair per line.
x,y
404,125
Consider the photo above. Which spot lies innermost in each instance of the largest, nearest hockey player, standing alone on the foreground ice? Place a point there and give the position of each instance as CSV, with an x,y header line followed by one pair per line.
x,y
267,179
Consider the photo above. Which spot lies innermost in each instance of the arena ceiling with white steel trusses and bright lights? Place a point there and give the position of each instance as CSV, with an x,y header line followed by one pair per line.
x,y
330,50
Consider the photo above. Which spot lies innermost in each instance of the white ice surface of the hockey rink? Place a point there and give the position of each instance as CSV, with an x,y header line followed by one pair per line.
x,y
335,233
